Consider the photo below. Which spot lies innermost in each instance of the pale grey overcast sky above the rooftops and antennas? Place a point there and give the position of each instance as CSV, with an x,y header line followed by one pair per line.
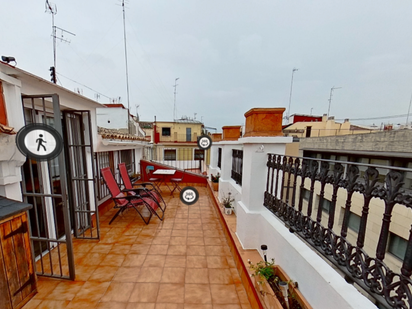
x,y
230,55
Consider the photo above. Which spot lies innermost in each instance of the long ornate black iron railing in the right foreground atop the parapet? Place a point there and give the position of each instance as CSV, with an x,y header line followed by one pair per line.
x,y
296,191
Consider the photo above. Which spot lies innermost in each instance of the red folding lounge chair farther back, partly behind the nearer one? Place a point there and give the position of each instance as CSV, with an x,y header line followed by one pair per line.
x,y
148,188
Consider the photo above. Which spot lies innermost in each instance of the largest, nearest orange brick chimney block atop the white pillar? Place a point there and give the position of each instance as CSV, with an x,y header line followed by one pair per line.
x,y
264,122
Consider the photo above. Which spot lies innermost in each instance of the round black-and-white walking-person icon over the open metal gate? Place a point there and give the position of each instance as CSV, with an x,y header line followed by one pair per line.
x,y
39,141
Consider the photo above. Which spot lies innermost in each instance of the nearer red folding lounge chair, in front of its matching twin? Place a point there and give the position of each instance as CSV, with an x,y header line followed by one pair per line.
x,y
124,201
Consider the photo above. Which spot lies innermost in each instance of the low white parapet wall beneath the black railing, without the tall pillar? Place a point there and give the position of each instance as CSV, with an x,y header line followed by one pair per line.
x,y
320,284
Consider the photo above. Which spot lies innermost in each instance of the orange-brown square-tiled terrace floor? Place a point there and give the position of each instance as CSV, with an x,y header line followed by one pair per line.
x,y
182,262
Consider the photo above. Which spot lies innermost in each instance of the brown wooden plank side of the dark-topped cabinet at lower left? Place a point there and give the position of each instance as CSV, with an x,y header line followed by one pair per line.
x,y
17,276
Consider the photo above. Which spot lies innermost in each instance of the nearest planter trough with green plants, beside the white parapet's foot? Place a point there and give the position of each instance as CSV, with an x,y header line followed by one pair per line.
x,y
274,287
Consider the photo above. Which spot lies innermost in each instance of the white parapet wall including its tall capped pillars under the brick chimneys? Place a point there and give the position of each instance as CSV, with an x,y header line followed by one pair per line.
x,y
320,284
